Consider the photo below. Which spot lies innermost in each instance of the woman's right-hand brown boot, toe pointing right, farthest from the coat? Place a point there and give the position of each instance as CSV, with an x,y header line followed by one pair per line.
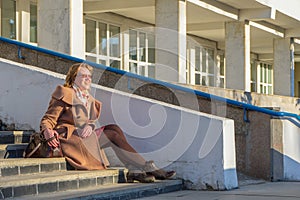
x,y
159,174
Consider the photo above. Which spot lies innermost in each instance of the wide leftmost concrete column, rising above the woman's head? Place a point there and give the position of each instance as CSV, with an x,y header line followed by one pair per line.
x,y
60,26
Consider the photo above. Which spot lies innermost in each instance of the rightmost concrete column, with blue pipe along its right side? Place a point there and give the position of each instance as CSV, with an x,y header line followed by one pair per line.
x,y
283,67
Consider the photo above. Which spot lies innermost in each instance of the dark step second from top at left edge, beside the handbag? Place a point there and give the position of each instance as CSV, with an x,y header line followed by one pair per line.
x,y
12,150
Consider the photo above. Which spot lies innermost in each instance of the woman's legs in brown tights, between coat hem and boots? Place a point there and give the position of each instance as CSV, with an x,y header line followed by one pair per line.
x,y
114,137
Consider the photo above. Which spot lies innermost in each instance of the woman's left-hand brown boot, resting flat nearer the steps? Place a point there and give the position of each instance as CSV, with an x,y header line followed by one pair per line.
x,y
140,176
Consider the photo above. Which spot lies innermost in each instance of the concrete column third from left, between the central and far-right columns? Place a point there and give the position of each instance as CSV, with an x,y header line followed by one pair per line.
x,y
237,52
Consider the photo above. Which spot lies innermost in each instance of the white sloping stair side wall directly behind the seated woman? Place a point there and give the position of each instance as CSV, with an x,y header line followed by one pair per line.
x,y
200,147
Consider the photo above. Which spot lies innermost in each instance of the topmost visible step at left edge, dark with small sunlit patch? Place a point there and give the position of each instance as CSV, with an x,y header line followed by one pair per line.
x,y
14,137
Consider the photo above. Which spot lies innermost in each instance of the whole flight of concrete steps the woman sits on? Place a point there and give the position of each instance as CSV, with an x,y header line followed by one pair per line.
x,y
48,178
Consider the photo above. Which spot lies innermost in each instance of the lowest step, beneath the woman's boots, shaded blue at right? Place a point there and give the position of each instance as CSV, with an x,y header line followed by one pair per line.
x,y
123,191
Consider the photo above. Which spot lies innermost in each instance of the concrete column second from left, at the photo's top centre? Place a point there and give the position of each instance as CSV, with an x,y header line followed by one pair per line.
x,y
170,20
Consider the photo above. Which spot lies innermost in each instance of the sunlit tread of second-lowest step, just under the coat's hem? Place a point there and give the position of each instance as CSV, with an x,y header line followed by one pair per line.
x,y
39,178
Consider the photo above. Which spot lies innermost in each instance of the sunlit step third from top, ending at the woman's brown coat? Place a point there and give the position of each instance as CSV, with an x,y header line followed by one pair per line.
x,y
22,166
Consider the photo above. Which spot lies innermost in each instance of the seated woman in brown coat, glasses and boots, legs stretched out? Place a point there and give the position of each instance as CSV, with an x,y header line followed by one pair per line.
x,y
70,122
